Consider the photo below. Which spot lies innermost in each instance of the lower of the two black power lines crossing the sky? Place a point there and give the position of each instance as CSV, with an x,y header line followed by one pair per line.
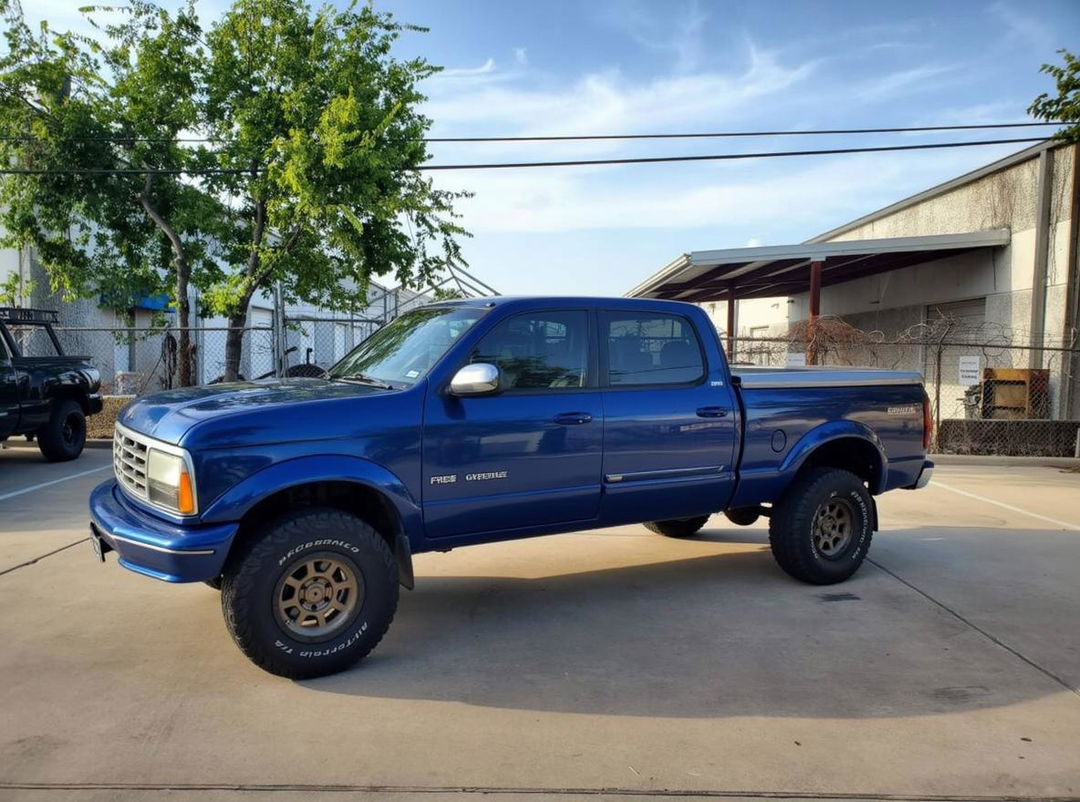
x,y
569,164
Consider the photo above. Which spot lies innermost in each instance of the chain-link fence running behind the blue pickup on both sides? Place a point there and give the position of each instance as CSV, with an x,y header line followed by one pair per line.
x,y
992,391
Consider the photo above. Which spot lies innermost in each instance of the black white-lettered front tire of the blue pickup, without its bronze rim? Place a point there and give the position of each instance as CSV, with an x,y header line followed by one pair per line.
x,y
252,584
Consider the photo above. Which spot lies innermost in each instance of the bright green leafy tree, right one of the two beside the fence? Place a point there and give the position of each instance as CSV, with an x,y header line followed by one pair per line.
x,y
319,140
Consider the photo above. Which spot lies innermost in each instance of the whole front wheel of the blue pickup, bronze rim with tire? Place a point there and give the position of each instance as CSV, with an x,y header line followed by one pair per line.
x,y
312,594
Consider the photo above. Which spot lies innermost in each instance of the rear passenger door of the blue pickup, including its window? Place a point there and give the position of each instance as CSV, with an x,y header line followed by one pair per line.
x,y
669,420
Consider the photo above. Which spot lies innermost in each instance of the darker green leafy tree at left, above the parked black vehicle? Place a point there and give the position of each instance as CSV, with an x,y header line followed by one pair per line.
x,y
97,121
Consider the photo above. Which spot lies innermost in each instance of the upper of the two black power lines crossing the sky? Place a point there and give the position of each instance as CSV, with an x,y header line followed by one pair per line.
x,y
591,138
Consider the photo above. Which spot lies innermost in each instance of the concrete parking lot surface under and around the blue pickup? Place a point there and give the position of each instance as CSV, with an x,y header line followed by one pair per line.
x,y
602,664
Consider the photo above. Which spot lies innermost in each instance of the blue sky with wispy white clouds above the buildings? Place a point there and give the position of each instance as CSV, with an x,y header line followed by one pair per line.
x,y
515,67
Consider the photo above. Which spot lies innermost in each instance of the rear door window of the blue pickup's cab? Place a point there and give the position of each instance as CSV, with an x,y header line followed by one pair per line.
x,y
652,349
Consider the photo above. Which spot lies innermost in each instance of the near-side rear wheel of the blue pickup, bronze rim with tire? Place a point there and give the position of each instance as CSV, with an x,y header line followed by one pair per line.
x,y
821,532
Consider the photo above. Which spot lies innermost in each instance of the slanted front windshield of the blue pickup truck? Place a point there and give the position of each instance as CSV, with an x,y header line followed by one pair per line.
x,y
401,354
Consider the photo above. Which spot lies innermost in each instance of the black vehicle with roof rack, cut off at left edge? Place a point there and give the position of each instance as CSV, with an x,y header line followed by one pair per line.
x,y
48,398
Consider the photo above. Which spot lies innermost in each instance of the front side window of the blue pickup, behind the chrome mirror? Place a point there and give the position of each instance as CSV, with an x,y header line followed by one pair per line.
x,y
538,350
